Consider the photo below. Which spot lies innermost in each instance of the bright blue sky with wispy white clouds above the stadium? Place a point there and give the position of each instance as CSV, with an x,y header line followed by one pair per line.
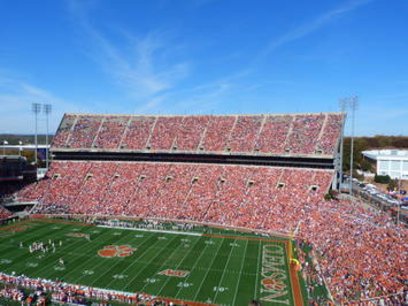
x,y
204,56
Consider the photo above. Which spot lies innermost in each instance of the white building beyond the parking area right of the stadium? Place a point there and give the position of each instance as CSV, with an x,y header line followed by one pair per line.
x,y
390,162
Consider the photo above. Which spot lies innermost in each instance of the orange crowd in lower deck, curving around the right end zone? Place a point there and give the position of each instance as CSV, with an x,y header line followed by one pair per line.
x,y
350,240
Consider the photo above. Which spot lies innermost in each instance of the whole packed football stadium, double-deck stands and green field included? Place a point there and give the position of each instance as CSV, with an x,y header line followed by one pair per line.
x,y
198,210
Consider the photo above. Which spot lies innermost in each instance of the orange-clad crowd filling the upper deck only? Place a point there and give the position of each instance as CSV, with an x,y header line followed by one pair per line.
x,y
280,134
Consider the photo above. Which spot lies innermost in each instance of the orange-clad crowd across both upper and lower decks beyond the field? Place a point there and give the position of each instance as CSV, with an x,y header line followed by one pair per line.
x,y
362,254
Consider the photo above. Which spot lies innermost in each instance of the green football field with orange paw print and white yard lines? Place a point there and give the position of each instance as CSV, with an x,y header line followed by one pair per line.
x,y
218,269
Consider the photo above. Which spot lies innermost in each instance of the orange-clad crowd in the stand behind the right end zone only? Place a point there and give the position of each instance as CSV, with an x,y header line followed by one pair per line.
x,y
363,254
